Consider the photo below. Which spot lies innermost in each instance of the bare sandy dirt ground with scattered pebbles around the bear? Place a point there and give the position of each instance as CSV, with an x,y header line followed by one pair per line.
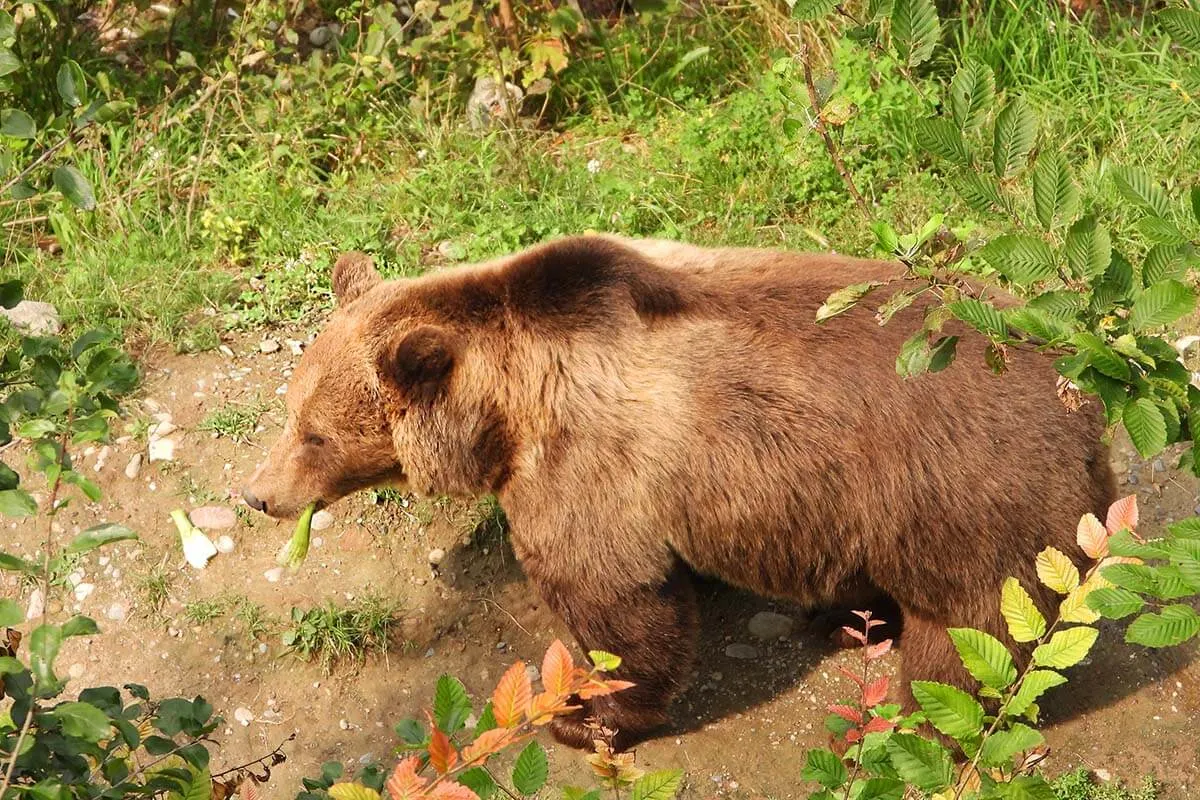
x,y
741,731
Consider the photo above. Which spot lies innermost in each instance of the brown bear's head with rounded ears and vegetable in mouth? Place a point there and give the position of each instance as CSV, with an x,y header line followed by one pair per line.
x,y
388,394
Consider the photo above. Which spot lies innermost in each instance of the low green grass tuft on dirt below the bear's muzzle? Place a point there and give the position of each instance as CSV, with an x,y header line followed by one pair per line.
x,y
331,634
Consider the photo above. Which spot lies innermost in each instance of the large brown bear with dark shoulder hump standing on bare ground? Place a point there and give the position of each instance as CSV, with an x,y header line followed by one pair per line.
x,y
647,411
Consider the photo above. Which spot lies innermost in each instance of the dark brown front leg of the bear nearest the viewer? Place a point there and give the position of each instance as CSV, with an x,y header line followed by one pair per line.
x,y
652,628
